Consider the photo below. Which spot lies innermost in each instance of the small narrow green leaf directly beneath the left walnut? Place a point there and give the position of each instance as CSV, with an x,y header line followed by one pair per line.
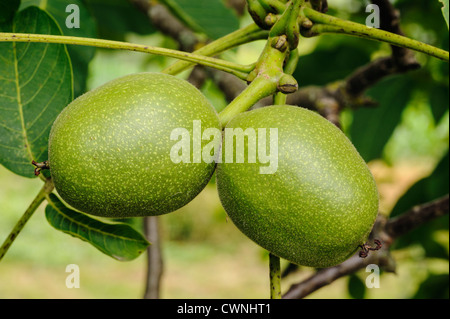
x,y
119,241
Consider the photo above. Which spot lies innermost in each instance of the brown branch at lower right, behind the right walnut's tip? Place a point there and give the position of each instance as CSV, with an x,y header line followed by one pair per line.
x,y
384,230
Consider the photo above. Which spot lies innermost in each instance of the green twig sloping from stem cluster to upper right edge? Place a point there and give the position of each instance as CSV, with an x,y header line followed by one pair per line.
x,y
327,24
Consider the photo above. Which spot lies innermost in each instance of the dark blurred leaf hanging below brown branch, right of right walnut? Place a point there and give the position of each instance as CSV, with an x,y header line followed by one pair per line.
x,y
372,127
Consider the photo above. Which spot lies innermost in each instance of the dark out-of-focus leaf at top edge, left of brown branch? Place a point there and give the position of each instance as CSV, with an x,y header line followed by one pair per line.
x,y
116,18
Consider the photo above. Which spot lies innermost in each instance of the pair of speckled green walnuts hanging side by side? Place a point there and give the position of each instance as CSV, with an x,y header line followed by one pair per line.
x,y
109,155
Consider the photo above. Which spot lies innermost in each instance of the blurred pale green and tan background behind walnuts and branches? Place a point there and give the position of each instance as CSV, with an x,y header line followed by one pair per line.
x,y
205,256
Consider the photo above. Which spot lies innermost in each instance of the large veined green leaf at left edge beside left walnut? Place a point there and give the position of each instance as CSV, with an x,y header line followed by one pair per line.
x,y
35,85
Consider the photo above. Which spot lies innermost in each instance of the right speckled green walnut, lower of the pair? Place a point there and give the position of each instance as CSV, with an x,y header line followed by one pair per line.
x,y
314,202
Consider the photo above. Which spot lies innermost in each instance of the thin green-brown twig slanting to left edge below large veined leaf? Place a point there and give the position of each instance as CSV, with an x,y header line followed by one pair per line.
x,y
45,190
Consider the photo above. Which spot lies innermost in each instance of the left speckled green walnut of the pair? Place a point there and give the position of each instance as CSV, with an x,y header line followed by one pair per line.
x,y
110,149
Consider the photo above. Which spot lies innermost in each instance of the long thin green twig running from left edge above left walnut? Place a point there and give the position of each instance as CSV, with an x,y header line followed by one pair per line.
x,y
236,69
